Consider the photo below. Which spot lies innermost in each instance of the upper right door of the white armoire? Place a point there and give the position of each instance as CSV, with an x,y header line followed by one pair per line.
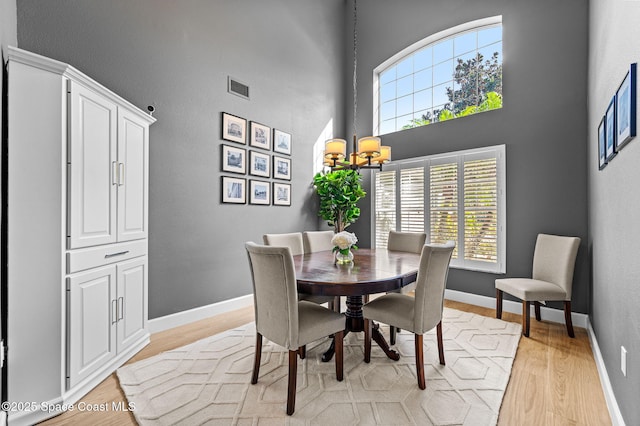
x,y
133,164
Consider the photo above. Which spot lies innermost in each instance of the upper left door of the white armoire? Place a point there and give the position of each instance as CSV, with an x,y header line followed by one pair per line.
x,y
93,169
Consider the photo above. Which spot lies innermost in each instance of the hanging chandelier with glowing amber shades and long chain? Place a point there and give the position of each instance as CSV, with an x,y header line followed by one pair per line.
x,y
367,152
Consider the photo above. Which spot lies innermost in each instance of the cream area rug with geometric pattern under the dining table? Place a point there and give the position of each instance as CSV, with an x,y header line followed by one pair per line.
x,y
208,382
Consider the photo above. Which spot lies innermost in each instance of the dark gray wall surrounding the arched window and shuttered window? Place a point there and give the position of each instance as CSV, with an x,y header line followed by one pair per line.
x,y
542,123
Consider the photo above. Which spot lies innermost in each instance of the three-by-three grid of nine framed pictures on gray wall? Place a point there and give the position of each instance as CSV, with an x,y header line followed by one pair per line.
x,y
264,155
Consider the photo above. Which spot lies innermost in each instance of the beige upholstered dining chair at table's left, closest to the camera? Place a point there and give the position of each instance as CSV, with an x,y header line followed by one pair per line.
x,y
282,318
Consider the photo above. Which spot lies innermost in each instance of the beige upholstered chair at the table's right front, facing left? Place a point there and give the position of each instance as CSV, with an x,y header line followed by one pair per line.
x,y
417,314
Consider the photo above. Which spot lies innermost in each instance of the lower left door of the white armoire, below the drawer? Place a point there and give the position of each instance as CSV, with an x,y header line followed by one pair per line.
x,y
91,322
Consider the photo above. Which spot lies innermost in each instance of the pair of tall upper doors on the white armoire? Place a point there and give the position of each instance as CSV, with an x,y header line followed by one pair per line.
x,y
108,170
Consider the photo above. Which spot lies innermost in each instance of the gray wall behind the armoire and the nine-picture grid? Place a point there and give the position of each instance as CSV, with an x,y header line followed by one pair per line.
x,y
177,56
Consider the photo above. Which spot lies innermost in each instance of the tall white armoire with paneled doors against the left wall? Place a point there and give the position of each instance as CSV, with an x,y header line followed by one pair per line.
x,y
77,215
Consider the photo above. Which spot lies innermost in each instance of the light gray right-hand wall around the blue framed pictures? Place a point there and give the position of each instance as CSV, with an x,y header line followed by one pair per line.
x,y
614,205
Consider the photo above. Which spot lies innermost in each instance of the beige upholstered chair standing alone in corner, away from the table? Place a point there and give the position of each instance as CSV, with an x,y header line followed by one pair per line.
x,y
554,260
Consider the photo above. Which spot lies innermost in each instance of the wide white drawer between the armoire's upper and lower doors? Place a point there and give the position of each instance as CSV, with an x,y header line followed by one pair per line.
x,y
81,259
